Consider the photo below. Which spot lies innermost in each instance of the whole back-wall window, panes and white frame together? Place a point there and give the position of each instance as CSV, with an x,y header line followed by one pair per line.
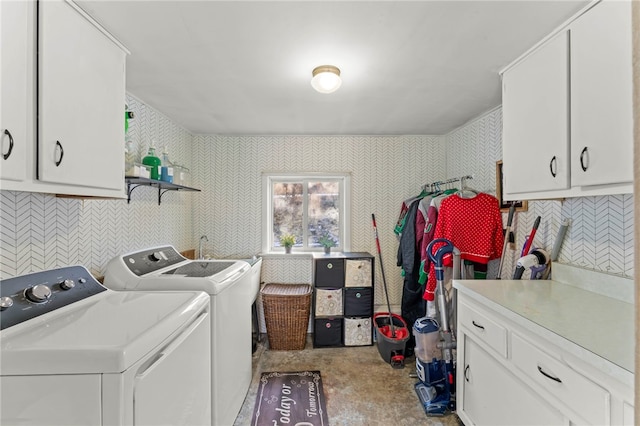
x,y
308,206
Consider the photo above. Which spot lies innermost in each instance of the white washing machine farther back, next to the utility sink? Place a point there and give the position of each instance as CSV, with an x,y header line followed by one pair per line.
x,y
228,283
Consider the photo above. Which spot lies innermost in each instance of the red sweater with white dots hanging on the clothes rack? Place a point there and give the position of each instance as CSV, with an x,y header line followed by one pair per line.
x,y
473,225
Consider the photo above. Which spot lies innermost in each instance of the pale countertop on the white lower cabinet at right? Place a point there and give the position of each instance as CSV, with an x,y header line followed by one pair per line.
x,y
602,327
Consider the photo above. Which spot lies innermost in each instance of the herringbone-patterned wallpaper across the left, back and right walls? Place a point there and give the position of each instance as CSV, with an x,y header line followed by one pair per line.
x,y
39,231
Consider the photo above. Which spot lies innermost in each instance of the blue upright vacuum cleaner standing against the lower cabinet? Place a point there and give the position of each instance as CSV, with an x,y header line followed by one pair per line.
x,y
435,342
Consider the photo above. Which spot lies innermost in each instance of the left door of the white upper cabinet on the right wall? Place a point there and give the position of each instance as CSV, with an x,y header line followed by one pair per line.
x,y
535,96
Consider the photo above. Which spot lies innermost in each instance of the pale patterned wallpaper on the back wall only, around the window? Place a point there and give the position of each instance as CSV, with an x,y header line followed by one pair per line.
x,y
384,171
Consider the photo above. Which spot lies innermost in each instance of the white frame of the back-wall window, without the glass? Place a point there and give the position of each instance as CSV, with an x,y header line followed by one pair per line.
x,y
268,179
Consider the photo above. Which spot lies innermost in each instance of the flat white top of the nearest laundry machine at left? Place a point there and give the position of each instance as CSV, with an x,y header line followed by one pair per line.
x,y
106,333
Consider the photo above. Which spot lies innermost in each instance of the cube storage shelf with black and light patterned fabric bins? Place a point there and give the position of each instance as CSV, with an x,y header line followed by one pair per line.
x,y
343,299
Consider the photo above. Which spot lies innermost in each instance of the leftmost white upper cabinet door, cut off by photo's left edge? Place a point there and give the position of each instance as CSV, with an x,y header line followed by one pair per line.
x,y
13,89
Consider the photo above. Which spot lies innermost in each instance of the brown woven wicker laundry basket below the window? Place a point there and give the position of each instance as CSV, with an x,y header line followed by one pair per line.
x,y
286,314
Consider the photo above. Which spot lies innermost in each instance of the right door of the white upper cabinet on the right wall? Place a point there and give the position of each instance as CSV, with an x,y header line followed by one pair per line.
x,y
601,95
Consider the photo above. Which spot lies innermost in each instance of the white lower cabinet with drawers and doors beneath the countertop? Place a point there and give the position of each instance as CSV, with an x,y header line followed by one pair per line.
x,y
508,374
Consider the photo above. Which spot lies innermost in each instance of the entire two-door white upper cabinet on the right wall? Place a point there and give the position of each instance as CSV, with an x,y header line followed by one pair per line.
x,y
567,110
